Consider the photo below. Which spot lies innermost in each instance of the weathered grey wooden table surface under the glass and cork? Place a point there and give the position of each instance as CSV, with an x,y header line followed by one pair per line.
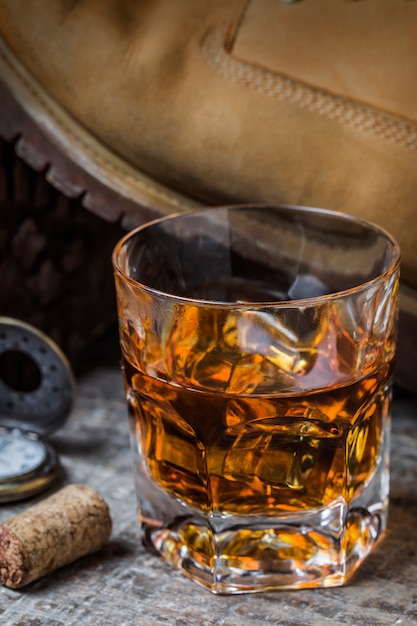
x,y
124,585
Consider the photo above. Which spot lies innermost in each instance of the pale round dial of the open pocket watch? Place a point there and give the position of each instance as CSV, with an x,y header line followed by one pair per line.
x,y
19,455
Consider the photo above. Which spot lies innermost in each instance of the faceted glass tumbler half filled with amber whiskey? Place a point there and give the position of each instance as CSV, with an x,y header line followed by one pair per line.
x,y
258,345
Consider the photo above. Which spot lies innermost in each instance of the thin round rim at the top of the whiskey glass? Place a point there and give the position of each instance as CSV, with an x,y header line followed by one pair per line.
x,y
291,303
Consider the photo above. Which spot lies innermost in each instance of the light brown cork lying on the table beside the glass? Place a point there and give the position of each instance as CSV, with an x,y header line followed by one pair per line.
x,y
70,524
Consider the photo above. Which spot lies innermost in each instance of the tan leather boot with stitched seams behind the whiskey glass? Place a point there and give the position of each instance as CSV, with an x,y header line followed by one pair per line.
x,y
156,106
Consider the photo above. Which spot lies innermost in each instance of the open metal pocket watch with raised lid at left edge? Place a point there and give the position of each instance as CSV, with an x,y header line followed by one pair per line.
x,y
37,390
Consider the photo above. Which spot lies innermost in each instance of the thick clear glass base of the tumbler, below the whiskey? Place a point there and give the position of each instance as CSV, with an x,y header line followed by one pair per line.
x,y
229,554
